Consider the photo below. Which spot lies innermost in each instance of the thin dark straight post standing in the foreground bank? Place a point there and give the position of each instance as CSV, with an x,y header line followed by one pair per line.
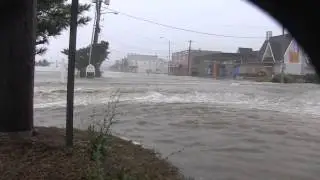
x,y
71,67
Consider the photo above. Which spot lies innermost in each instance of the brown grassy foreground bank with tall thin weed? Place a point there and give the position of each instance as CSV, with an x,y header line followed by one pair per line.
x,y
96,155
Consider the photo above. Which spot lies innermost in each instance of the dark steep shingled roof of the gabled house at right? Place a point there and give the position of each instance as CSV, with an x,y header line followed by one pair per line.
x,y
279,45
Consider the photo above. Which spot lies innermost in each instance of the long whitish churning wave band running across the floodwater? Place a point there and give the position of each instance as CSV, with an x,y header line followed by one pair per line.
x,y
85,96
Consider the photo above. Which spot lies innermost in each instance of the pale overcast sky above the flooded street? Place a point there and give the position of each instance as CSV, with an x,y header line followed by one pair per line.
x,y
128,35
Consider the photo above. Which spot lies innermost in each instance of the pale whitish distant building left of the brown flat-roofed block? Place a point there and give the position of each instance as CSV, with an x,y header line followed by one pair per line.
x,y
143,63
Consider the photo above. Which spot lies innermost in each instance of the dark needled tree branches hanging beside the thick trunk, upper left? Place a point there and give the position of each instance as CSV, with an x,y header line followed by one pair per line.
x,y
53,17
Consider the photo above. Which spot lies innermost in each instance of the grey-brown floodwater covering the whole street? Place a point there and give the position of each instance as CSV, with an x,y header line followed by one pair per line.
x,y
210,129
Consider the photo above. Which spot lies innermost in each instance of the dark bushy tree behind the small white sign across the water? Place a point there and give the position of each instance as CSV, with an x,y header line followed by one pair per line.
x,y
99,54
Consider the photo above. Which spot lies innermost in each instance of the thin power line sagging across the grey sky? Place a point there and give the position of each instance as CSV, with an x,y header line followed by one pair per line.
x,y
184,29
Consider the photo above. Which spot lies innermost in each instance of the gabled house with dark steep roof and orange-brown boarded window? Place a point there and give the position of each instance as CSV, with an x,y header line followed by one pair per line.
x,y
283,51
